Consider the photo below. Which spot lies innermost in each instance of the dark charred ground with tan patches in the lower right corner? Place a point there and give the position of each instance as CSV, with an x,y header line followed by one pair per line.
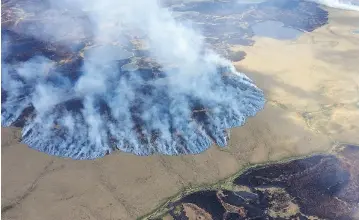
x,y
320,187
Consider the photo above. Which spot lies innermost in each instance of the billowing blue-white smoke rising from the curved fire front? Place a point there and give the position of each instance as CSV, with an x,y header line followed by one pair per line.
x,y
194,97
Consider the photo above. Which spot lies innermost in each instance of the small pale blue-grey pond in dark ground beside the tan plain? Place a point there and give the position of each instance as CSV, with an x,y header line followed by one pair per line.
x,y
275,30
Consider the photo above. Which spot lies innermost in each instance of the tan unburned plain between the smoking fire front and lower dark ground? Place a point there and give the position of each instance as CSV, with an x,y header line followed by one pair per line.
x,y
312,88
